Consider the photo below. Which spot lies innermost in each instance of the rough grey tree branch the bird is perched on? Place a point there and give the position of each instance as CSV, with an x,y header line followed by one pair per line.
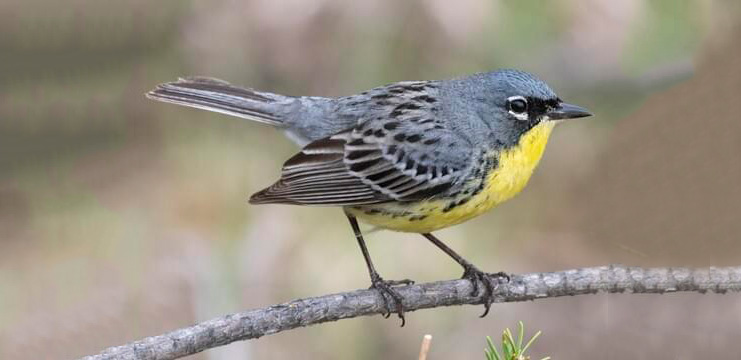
x,y
255,323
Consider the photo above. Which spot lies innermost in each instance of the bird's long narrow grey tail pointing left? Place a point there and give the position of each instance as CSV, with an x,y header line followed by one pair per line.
x,y
220,96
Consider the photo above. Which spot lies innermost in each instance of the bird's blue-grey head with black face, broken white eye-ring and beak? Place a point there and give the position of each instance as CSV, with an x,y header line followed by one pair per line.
x,y
511,102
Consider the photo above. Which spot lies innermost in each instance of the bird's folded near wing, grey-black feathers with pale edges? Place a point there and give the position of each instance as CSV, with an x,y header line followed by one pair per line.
x,y
406,155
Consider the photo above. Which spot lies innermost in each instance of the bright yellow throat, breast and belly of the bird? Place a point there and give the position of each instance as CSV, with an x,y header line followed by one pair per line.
x,y
515,166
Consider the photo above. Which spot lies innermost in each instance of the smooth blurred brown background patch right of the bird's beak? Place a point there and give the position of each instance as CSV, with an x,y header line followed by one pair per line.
x,y
667,186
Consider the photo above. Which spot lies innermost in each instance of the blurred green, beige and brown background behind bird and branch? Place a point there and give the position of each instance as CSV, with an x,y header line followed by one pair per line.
x,y
122,218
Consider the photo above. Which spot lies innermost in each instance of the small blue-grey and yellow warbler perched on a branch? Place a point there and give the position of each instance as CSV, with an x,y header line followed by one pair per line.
x,y
410,156
